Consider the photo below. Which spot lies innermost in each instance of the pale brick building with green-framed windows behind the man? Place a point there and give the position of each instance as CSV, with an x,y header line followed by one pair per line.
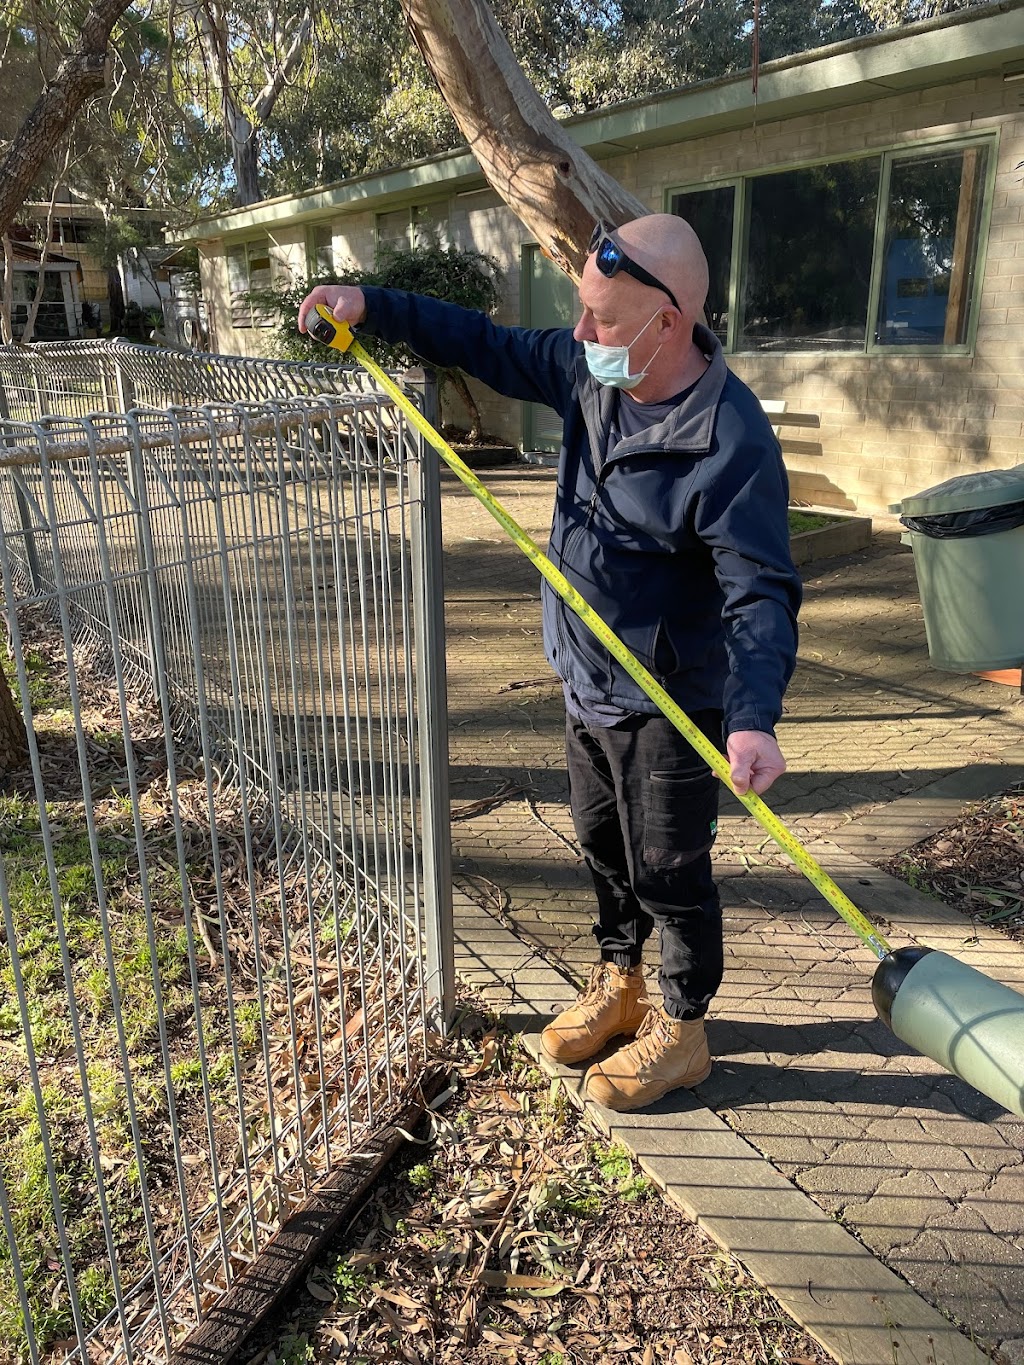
x,y
862,218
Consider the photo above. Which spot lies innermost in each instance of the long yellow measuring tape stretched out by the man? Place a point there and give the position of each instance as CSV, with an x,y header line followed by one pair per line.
x,y
327,328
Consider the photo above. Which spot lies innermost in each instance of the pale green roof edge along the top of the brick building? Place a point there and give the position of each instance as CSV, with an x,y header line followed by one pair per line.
x,y
935,53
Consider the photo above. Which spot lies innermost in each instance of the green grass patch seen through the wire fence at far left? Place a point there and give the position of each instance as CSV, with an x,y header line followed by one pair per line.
x,y
100,959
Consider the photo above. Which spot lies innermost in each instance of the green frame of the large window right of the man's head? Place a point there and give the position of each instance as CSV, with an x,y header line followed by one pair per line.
x,y
988,140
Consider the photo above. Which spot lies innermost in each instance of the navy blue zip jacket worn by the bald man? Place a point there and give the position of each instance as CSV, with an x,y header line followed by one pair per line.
x,y
678,537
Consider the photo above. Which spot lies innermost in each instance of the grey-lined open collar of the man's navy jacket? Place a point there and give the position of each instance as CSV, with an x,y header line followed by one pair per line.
x,y
687,429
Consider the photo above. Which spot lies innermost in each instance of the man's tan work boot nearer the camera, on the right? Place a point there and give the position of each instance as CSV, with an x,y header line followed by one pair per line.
x,y
664,1056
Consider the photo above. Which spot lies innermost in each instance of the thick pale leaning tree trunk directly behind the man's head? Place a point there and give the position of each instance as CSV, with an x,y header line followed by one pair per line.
x,y
526,156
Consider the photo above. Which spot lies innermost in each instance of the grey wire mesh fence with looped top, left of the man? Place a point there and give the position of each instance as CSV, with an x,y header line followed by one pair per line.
x,y
223,858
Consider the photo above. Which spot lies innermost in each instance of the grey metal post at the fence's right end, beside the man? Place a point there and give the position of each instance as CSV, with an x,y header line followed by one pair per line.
x,y
432,706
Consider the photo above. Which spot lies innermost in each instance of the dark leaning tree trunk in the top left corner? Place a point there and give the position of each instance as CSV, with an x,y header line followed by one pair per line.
x,y
81,76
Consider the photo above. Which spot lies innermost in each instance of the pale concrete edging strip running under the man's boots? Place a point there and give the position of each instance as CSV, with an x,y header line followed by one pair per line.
x,y
828,1281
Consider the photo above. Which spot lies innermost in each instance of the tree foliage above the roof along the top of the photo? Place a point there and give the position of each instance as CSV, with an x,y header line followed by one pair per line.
x,y
214,102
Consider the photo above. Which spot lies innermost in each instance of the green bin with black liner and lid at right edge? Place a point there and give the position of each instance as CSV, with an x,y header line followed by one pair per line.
x,y
969,552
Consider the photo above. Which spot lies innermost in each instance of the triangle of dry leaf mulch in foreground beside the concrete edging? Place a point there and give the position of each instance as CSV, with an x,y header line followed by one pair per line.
x,y
513,1233
